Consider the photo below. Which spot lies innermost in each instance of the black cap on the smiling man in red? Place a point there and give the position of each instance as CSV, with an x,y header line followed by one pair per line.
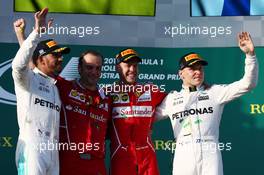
x,y
127,55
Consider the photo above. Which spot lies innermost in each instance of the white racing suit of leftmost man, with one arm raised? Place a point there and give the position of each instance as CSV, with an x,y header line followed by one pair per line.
x,y
38,112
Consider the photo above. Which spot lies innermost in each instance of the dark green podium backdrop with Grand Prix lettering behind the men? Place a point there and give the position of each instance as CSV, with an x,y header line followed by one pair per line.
x,y
242,125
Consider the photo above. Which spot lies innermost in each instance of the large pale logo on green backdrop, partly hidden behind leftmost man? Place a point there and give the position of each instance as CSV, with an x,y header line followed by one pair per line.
x,y
69,72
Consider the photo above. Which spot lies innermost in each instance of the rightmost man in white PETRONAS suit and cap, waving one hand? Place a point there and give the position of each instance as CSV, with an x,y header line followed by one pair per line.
x,y
196,110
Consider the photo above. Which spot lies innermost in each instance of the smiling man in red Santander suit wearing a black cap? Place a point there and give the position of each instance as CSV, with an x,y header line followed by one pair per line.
x,y
134,104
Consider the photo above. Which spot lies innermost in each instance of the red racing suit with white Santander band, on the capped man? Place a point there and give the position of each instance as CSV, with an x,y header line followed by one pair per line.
x,y
132,151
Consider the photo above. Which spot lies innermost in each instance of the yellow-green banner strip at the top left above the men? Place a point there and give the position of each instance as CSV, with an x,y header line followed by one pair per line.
x,y
113,7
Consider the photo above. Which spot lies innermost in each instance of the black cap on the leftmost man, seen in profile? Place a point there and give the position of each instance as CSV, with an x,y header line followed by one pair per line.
x,y
49,46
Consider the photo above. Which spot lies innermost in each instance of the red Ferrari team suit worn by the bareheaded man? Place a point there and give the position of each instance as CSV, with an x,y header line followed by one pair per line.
x,y
84,121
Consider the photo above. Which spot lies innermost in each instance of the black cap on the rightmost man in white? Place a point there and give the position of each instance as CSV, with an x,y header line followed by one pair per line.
x,y
191,58
